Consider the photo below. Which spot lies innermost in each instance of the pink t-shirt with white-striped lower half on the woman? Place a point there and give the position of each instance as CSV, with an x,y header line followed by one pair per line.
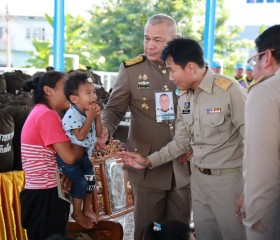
x,y
42,128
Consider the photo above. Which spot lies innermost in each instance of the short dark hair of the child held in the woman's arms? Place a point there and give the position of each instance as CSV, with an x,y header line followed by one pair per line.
x,y
75,79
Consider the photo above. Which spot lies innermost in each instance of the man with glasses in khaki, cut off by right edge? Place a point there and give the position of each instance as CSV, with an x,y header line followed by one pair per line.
x,y
262,141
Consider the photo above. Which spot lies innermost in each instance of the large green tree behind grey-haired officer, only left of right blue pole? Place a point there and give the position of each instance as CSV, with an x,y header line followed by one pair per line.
x,y
117,27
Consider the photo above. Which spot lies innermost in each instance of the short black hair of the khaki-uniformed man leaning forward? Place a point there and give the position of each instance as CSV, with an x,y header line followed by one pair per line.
x,y
183,51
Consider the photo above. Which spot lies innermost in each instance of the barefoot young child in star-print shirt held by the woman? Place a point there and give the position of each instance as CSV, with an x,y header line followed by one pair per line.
x,y
82,123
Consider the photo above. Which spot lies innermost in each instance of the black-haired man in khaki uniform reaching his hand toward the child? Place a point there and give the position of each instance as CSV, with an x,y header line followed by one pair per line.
x,y
210,119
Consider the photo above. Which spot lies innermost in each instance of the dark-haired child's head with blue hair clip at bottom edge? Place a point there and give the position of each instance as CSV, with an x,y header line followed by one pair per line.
x,y
169,230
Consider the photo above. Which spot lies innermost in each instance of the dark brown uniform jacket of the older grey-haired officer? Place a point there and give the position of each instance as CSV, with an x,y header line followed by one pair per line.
x,y
135,88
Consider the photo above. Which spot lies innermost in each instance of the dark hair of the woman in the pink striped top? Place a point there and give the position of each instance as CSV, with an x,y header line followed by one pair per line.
x,y
36,85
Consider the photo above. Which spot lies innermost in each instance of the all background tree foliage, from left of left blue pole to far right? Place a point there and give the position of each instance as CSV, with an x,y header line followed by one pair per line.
x,y
114,32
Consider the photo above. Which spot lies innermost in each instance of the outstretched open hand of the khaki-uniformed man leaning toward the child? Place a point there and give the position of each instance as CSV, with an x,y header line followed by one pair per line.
x,y
133,159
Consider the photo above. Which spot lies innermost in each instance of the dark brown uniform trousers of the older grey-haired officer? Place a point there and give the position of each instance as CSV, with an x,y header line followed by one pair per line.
x,y
173,204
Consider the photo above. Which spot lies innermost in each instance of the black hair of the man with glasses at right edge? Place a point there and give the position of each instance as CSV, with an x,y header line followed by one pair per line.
x,y
270,39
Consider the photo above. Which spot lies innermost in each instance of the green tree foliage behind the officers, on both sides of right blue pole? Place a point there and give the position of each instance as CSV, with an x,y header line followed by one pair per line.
x,y
117,28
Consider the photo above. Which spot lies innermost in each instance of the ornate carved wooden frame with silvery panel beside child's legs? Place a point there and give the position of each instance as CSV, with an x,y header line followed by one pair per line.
x,y
113,194
